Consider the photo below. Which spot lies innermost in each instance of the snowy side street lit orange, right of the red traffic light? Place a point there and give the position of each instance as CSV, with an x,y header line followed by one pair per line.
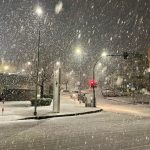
x,y
123,105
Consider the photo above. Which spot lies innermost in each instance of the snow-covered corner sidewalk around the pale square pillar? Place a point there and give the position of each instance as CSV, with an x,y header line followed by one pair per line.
x,y
20,110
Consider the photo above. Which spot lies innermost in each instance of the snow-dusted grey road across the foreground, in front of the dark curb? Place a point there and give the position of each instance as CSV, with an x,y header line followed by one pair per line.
x,y
101,131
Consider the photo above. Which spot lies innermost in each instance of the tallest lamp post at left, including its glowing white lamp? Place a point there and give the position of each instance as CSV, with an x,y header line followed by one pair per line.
x,y
39,13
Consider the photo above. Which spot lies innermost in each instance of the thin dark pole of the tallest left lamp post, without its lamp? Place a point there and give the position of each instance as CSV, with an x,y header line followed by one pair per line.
x,y
37,74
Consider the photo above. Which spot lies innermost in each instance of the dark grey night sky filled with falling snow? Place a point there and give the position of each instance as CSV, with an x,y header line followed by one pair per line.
x,y
94,25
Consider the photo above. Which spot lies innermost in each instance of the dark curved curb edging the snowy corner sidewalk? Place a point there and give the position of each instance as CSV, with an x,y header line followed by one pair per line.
x,y
63,115
